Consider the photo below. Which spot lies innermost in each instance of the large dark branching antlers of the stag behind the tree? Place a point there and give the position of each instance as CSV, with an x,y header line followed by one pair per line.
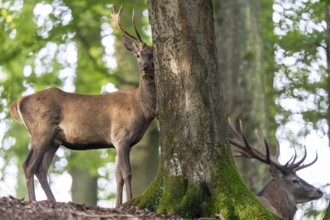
x,y
241,147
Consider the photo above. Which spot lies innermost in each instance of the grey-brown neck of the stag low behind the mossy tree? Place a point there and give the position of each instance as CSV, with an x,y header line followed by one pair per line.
x,y
279,199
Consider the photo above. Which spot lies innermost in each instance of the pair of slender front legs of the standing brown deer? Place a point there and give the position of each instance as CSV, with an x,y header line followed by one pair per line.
x,y
123,173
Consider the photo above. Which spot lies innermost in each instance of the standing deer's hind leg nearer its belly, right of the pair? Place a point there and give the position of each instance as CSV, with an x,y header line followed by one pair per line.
x,y
43,169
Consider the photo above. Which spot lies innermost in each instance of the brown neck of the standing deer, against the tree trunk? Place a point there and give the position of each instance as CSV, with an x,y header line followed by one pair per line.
x,y
146,95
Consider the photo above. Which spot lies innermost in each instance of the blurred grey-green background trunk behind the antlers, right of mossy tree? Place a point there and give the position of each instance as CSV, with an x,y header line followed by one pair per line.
x,y
242,73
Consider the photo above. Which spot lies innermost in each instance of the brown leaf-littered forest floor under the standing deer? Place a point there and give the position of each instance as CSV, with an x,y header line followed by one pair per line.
x,y
15,209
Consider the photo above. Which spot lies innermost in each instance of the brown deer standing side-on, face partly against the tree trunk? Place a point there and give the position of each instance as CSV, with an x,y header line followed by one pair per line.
x,y
81,122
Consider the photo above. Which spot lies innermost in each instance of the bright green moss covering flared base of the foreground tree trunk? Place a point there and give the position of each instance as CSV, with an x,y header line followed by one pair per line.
x,y
226,196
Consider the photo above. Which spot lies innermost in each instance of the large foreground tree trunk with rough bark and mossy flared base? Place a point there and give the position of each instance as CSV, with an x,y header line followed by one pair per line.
x,y
197,175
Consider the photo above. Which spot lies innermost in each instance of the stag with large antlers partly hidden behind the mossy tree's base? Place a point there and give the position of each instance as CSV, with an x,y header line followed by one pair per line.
x,y
286,189
